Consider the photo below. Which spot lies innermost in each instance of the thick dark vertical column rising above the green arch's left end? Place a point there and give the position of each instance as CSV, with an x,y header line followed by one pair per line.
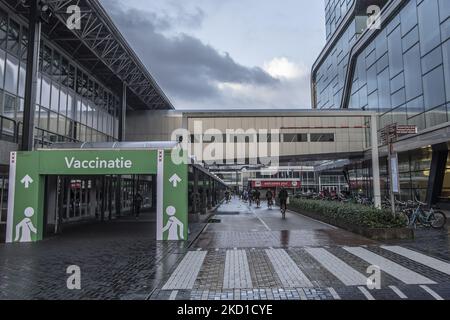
x,y
34,35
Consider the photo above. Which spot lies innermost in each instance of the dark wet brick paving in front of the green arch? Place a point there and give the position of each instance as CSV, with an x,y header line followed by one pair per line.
x,y
118,260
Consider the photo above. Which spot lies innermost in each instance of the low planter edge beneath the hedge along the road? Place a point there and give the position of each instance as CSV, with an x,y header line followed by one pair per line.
x,y
379,234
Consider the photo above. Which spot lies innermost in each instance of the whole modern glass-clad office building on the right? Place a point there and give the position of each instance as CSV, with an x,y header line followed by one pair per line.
x,y
400,69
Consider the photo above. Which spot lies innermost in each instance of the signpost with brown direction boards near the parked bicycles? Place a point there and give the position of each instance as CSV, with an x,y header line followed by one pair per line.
x,y
389,135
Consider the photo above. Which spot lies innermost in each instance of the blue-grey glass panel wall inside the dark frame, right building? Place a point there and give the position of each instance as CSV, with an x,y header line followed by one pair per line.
x,y
404,74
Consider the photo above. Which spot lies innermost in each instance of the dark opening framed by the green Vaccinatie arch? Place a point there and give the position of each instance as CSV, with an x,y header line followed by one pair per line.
x,y
74,200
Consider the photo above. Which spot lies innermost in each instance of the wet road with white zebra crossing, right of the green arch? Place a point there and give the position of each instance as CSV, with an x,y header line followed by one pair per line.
x,y
252,254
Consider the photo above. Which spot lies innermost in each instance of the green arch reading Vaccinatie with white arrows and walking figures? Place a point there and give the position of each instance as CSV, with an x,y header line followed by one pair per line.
x,y
27,185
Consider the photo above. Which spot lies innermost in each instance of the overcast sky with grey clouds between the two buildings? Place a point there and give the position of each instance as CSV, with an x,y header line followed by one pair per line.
x,y
226,54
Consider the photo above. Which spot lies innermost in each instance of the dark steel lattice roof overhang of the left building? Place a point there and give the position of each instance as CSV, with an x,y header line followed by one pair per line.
x,y
101,49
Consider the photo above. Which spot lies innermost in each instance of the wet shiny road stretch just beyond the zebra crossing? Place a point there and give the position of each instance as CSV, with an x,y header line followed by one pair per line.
x,y
262,227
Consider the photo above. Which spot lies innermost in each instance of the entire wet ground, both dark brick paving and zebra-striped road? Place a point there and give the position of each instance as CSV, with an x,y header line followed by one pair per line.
x,y
250,254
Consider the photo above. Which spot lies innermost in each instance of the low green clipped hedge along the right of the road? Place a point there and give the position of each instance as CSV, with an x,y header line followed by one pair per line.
x,y
350,213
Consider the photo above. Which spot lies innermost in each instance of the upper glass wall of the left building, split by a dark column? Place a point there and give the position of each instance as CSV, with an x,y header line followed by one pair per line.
x,y
70,104
